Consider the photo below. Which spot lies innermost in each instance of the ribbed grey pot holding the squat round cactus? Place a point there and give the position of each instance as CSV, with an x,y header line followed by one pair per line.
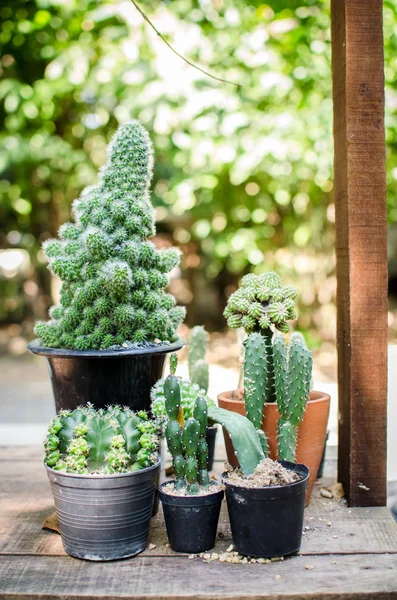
x,y
104,517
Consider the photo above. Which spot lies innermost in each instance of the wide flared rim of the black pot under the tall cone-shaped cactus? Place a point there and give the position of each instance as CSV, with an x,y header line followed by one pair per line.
x,y
161,348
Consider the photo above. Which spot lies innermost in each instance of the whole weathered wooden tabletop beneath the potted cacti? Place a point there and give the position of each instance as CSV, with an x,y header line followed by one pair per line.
x,y
345,553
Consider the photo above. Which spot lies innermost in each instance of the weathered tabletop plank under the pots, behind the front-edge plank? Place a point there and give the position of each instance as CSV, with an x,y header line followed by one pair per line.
x,y
25,501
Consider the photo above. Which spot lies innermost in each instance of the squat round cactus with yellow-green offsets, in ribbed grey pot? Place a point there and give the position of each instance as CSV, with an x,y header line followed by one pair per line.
x,y
102,466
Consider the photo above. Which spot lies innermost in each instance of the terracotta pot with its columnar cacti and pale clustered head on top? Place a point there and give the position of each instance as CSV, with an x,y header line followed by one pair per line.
x,y
276,395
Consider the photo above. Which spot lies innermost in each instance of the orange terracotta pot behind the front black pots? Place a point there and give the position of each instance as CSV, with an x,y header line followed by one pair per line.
x,y
311,432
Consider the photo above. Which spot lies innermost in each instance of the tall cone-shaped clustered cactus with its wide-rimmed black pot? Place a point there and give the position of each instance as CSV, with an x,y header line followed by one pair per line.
x,y
107,338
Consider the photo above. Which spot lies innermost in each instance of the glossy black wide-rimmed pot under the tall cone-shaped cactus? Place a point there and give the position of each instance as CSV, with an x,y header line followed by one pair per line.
x,y
104,377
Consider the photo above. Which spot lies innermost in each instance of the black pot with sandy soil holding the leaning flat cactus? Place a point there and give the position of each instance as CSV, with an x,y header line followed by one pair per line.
x,y
268,521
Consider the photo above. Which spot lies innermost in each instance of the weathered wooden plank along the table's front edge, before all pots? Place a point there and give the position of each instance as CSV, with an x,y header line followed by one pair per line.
x,y
330,578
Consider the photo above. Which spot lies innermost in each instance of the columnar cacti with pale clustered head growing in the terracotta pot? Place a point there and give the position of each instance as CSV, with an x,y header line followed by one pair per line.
x,y
273,371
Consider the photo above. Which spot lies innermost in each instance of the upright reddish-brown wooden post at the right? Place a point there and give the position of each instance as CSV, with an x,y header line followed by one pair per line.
x,y
360,205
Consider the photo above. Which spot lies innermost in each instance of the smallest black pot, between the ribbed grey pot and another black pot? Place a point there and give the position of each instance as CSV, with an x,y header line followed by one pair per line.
x,y
191,521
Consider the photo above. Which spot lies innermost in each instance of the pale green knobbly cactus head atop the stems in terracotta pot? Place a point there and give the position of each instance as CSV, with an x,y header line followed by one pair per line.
x,y
261,304
